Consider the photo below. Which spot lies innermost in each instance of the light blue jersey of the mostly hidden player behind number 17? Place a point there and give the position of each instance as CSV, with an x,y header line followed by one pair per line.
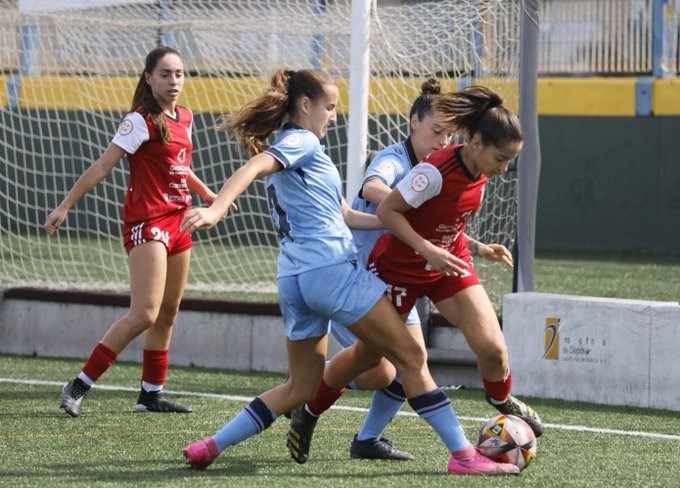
x,y
390,165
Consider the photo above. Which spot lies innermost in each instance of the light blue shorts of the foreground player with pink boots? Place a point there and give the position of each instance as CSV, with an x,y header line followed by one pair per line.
x,y
342,292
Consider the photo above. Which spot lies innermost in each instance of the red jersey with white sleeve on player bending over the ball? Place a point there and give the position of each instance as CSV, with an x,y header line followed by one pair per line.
x,y
444,195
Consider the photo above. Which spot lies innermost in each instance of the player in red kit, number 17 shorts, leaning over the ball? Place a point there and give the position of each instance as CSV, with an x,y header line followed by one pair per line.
x,y
425,252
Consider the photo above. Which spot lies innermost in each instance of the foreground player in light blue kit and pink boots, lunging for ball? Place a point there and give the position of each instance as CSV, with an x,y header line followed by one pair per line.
x,y
320,277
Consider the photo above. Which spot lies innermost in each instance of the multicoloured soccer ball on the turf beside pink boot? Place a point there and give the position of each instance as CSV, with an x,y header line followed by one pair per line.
x,y
507,439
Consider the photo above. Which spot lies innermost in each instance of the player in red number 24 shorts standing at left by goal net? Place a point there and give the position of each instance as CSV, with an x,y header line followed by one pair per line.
x,y
156,136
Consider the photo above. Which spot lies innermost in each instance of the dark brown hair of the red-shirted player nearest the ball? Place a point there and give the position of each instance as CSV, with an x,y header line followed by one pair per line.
x,y
479,110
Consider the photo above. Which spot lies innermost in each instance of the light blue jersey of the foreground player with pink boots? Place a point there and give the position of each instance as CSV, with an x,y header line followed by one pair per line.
x,y
305,204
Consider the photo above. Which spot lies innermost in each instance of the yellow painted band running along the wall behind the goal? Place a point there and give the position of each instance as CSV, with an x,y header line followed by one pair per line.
x,y
556,96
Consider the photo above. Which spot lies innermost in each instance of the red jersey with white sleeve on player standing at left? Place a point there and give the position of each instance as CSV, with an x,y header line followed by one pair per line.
x,y
158,172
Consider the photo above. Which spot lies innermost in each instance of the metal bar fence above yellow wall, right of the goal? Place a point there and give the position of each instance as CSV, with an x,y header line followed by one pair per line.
x,y
609,37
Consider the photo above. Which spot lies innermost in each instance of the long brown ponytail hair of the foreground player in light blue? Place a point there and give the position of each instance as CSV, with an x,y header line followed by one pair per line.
x,y
255,121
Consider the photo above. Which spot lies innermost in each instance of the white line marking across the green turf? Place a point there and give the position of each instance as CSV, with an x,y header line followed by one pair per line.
x,y
579,428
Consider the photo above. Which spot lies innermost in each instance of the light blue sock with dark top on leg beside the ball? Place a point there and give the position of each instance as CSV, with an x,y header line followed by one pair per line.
x,y
436,409
